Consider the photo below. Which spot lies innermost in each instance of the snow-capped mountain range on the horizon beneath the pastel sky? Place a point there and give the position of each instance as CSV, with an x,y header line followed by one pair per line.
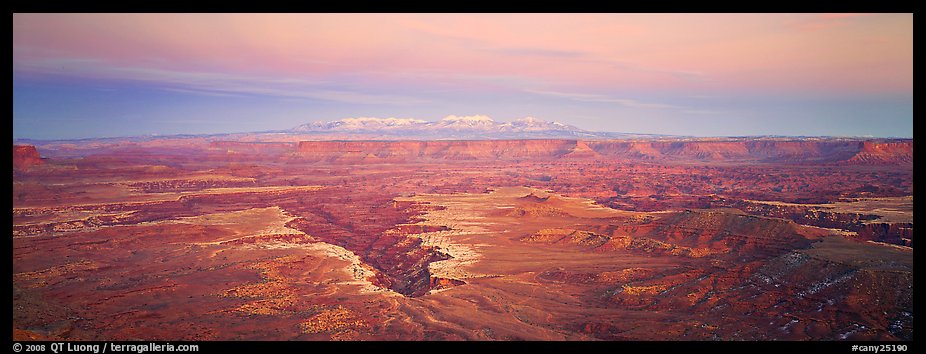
x,y
477,126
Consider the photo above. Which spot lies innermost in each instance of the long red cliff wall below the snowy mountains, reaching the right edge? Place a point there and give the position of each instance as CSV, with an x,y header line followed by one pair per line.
x,y
769,151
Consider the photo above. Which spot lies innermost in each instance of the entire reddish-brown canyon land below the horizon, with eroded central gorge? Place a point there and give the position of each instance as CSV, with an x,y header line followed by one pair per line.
x,y
736,239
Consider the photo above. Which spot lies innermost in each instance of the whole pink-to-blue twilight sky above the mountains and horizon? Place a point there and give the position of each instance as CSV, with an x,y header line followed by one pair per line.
x,y
109,75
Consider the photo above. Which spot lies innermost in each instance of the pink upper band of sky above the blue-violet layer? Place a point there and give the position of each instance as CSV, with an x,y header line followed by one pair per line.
x,y
586,53
